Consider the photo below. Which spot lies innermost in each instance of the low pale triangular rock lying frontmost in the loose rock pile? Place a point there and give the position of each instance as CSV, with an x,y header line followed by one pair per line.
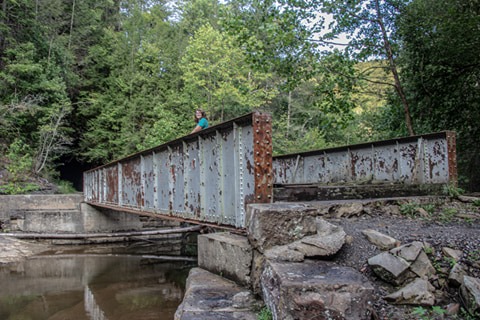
x,y
418,292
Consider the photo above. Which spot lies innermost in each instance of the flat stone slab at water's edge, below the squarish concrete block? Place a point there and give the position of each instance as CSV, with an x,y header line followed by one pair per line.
x,y
209,296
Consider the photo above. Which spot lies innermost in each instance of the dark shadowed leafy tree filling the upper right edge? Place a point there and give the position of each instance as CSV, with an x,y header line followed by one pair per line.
x,y
441,70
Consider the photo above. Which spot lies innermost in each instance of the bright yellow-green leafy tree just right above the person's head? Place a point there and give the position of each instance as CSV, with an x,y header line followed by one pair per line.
x,y
218,79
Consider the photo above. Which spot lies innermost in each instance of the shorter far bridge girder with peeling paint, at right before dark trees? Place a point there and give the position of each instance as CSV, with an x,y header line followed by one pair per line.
x,y
418,160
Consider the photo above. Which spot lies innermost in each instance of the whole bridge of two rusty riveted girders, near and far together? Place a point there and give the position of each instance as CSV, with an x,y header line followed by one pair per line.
x,y
211,176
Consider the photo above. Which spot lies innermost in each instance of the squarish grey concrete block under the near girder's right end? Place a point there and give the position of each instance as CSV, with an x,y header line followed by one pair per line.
x,y
228,255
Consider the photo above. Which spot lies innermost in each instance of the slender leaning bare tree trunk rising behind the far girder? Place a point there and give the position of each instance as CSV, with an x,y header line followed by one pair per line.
x,y
393,69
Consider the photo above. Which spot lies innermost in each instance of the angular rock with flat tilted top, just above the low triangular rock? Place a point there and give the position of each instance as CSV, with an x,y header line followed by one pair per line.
x,y
390,268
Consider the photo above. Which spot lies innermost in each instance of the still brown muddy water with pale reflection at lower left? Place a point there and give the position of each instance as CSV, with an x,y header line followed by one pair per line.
x,y
93,284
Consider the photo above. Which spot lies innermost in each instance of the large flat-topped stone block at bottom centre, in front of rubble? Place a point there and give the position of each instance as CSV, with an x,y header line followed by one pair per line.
x,y
315,290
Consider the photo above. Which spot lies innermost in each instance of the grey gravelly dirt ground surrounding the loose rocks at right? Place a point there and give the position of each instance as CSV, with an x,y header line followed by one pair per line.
x,y
453,224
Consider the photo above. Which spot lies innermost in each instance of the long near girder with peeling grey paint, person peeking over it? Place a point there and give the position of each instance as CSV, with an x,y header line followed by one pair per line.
x,y
207,177
